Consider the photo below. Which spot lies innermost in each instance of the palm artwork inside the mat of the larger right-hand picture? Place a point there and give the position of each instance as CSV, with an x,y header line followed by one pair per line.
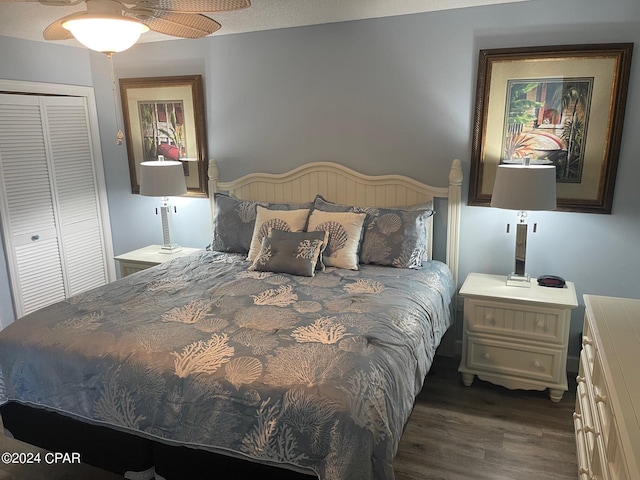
x,y
545,121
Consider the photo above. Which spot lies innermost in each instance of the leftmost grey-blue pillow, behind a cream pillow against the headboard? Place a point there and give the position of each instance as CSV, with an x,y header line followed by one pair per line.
x,y
234,220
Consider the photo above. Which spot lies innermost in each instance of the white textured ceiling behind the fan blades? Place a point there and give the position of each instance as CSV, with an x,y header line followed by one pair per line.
x,y
28,19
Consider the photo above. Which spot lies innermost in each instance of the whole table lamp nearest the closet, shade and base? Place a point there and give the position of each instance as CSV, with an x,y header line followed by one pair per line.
x,y
160,178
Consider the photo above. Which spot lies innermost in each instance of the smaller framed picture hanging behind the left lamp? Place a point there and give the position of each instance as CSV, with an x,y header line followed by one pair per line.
x,y
164,116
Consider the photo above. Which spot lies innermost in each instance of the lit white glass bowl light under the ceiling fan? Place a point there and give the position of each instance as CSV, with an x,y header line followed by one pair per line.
x,y
105,34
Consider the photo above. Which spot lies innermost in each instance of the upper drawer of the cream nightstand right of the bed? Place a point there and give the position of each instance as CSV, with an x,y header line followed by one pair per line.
x,y
517,320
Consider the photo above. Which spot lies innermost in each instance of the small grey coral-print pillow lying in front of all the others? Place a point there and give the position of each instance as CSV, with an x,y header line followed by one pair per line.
x,y
297,254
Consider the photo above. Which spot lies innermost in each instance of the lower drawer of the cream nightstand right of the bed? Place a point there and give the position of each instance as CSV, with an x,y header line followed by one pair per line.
x,y
513,359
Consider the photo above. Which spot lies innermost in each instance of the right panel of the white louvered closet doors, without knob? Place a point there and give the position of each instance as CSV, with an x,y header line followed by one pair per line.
x,y
74,186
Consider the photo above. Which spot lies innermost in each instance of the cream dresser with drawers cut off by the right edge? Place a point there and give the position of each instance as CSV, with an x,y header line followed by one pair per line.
x,y
607,417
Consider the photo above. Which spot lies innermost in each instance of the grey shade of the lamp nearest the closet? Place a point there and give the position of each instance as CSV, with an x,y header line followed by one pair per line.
x,y
162,179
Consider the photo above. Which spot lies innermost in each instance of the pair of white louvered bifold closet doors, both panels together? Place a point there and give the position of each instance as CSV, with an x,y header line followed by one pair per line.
x,y
52,204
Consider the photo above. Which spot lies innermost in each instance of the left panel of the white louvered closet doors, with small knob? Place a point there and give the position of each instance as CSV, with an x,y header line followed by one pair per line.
x,y
28,217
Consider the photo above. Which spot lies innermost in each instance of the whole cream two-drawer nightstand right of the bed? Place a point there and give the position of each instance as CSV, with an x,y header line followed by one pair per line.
x,y
516,337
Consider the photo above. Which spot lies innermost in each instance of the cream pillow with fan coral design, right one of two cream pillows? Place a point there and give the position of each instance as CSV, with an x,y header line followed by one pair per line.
x,y
345,231
